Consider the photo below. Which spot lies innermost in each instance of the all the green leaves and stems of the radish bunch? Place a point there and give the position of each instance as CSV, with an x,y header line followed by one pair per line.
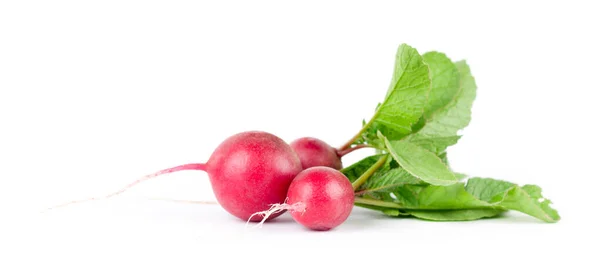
x,y
428,102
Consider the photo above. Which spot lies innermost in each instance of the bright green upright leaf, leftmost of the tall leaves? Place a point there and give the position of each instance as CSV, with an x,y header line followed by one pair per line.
x,y
406,97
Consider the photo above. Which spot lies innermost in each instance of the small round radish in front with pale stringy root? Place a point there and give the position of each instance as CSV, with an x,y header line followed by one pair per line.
x,y
320,198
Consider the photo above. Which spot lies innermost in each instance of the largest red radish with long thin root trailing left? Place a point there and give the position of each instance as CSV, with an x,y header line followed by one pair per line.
x,y
248,171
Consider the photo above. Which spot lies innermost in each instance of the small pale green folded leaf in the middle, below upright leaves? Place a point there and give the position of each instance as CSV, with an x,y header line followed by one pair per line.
x,y
420,163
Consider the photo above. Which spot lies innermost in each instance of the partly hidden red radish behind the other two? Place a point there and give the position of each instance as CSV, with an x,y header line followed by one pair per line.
x,y
315,152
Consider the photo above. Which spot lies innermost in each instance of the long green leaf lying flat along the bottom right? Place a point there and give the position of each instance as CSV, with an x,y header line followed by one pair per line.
x,y
475,199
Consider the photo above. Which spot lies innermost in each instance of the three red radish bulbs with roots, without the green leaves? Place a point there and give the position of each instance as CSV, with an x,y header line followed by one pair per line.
x,y
253,174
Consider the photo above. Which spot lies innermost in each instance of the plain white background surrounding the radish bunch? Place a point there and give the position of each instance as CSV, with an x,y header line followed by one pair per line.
x,y
95,94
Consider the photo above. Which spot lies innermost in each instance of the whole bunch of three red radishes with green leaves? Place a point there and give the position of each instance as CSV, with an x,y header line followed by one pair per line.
x,y
256,176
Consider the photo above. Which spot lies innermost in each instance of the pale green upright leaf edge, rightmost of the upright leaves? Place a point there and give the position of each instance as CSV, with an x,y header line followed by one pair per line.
x,y
441,127
